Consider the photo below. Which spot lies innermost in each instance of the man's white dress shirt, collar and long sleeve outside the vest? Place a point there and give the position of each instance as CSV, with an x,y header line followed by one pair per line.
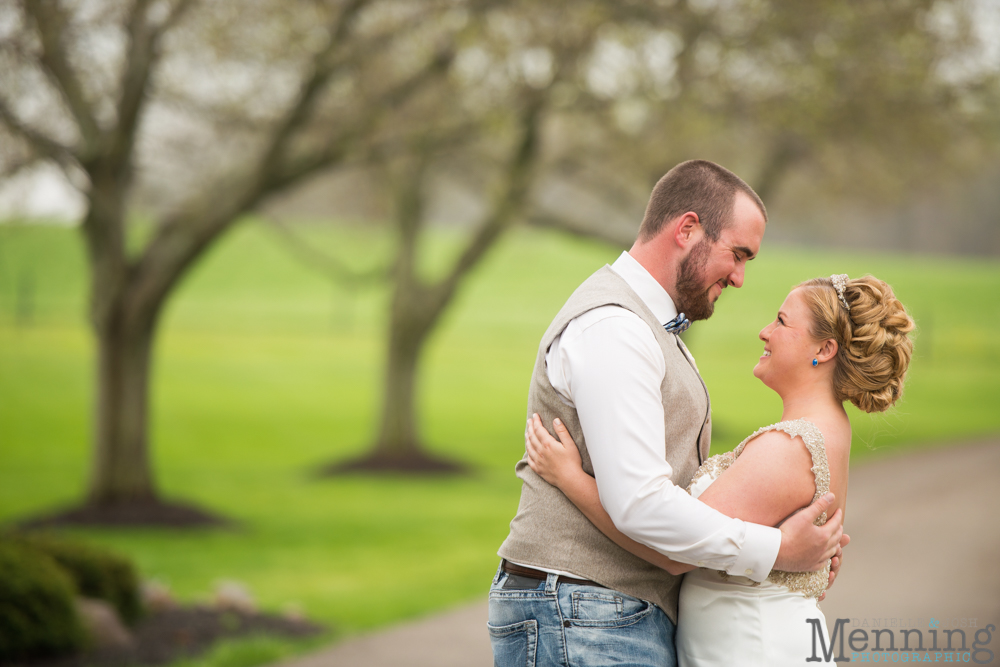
x,y
608,365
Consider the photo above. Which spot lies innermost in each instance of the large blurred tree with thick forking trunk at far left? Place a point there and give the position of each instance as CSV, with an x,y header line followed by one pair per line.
x,y
284,90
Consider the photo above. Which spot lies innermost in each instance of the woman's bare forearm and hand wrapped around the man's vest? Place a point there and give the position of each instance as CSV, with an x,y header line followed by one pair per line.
x,y
558,463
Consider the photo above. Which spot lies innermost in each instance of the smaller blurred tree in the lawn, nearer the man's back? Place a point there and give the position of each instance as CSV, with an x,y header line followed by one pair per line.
x,y
485,122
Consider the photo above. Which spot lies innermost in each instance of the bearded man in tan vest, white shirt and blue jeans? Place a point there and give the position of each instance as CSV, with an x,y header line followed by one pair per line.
x,y
613,369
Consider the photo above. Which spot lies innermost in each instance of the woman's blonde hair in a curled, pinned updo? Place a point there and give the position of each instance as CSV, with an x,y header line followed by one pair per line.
x,y
873,339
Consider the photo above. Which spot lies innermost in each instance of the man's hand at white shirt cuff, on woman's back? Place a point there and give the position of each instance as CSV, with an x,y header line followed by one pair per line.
x,y
806,547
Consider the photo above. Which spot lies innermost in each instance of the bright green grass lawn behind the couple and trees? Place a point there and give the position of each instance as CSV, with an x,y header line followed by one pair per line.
x,y
264,371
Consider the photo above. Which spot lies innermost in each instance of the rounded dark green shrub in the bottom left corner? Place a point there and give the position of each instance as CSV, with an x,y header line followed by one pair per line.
x,y
37,615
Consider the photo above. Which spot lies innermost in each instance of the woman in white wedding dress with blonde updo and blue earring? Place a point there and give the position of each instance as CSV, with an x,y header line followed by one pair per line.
x,y
833,340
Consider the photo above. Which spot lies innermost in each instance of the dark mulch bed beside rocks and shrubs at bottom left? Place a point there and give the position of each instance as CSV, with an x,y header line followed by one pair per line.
x,y
166,636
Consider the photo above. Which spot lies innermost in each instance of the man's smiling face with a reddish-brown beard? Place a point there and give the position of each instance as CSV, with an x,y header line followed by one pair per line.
x,y
710,266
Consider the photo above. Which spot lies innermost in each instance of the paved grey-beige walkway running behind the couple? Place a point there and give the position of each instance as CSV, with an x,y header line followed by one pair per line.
x,y
926,542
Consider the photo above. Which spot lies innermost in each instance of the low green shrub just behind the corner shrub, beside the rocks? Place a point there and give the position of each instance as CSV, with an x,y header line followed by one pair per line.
x,y
97,572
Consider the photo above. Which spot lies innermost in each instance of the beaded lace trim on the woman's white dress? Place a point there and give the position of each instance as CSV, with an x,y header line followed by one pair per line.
x,y
811,584
